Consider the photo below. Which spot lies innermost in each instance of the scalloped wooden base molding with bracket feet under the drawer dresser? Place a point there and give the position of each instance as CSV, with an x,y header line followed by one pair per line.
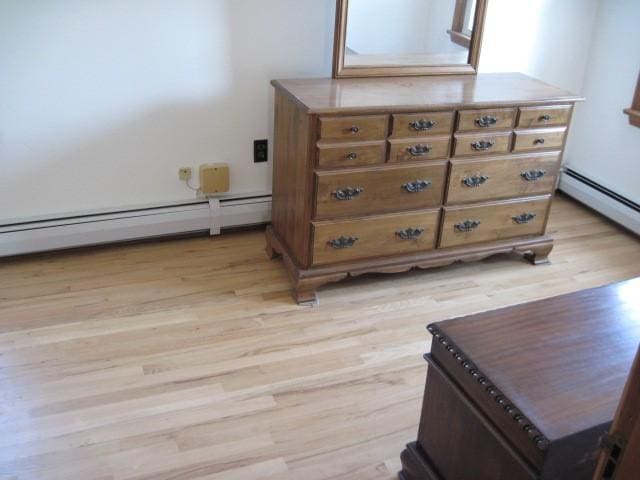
x,y
307,281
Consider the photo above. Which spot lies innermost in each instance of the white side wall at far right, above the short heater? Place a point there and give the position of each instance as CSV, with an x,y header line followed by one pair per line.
x,y
603,146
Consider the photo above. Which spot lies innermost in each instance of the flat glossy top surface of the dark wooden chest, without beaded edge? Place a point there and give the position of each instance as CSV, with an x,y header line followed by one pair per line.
x,y
563,361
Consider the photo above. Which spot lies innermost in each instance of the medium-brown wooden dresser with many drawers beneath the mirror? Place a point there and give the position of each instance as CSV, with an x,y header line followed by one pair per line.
x,y
388,174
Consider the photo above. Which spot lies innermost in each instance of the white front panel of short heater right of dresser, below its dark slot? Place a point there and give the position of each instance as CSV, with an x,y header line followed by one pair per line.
x,y
618,211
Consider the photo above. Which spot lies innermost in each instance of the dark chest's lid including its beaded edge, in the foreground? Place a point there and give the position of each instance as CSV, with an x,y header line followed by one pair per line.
x,y
547,373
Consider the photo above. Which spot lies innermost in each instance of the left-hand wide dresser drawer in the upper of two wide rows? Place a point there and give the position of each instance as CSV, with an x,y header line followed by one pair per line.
x,y
379,189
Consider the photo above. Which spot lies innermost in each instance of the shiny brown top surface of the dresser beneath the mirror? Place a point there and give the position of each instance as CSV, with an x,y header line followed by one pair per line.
x,y
326,95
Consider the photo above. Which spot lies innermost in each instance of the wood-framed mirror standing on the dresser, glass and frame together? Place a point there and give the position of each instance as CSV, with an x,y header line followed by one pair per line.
x,y
407,37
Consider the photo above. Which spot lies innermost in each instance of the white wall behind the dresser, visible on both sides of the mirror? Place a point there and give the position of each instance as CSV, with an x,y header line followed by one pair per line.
x,y
101,101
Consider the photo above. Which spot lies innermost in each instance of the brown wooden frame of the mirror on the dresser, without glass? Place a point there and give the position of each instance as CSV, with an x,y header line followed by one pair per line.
x,y
342,71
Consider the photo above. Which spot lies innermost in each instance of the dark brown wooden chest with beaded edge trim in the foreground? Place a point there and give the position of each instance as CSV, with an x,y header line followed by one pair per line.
x,y
525,392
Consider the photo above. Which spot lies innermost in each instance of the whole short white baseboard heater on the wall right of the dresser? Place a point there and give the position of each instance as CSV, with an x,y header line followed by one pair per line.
x,y
610,204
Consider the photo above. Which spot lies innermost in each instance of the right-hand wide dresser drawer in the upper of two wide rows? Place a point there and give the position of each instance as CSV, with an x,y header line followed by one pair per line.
x,y
476,180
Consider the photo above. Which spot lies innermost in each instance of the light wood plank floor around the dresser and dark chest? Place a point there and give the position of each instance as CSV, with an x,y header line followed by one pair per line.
x,y
187,359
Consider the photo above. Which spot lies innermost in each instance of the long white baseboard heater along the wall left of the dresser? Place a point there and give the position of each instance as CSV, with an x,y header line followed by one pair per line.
x,y
212,215
